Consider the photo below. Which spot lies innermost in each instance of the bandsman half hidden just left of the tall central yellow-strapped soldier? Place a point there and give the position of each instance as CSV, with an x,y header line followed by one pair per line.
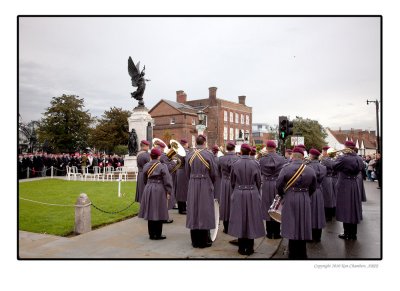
x,y
182,180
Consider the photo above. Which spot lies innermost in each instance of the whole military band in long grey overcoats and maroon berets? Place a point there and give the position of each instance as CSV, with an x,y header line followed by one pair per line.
x,y
314,190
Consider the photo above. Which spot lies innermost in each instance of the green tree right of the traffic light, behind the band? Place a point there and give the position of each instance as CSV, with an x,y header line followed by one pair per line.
x,y
313,132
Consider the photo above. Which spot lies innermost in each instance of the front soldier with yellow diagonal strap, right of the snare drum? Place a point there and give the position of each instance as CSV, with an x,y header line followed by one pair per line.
x,y
296,209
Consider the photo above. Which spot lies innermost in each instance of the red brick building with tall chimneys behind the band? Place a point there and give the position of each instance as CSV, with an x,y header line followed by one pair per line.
x,y
225,119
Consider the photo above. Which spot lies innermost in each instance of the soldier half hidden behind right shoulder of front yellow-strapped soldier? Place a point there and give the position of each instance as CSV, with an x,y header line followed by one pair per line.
x,y
318,221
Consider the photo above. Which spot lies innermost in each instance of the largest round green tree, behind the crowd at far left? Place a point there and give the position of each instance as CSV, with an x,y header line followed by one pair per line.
x,y
65,125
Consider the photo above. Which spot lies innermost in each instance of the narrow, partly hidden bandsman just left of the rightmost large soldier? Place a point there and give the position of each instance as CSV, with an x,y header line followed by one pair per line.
x,y
328,190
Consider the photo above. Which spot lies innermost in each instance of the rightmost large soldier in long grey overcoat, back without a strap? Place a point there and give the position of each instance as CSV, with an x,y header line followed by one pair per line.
x,y
348,203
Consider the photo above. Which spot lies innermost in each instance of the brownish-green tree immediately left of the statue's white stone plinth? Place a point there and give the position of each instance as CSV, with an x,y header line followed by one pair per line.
x,y
111,130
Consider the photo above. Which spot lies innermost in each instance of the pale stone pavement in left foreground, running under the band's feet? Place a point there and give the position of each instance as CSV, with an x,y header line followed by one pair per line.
x,y
129,240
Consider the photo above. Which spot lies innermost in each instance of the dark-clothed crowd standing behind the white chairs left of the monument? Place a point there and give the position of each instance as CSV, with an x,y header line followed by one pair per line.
x,y
40,164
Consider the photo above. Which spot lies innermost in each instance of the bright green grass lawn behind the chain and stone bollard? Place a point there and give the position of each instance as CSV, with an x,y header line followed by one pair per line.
x,y
60,220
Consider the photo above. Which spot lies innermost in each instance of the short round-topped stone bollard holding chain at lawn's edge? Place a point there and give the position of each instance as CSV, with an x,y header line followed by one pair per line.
x,y
83,221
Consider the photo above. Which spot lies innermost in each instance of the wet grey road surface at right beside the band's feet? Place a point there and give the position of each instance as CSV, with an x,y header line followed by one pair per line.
x,y
368,243
